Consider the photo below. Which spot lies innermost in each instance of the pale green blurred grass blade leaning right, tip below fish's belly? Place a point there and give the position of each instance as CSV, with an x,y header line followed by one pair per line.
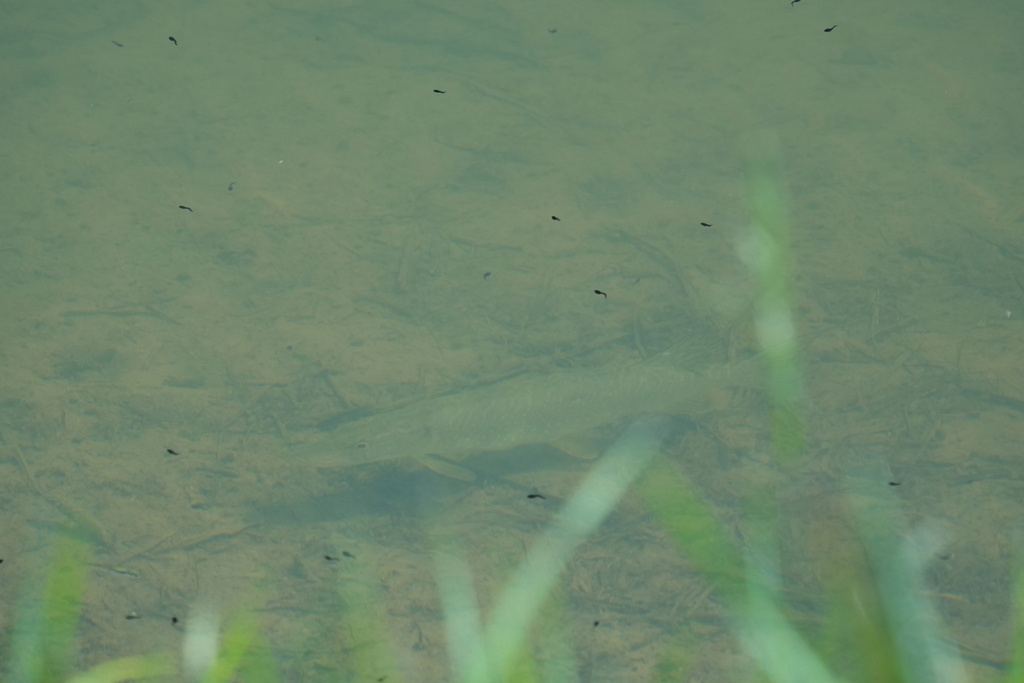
x,y
523,599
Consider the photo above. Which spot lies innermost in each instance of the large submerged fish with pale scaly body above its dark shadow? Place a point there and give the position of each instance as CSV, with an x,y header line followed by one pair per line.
x,y
535,408
